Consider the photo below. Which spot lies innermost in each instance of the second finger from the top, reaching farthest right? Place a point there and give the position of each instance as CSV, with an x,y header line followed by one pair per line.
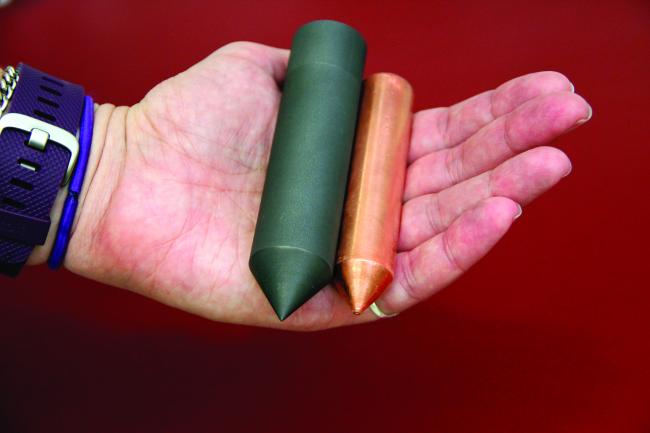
x,y
534,123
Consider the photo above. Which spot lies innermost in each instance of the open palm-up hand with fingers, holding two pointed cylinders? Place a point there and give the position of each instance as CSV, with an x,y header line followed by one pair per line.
x,y
173,189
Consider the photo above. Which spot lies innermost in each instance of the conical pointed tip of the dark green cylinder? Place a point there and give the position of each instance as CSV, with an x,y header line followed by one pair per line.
x,y
289,277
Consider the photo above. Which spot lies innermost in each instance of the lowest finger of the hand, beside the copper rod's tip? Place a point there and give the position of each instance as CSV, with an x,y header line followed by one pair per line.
x,y
436,263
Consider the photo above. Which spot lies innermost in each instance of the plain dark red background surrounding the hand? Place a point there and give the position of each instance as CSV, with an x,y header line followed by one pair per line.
x,y
547,334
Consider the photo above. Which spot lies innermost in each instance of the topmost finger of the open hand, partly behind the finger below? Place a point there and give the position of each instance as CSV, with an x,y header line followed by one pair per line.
x,y
440,128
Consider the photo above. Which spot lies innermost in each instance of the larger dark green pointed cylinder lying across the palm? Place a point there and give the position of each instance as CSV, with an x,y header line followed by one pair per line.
x,y
298,224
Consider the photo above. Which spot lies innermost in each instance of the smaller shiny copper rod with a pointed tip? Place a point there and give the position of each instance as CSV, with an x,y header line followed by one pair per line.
x,y
367,248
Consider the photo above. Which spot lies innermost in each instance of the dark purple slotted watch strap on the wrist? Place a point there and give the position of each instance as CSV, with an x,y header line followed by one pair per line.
x,y
27,195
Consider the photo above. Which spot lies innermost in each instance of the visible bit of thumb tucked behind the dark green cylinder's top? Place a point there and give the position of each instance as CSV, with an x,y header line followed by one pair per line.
x,y
271,59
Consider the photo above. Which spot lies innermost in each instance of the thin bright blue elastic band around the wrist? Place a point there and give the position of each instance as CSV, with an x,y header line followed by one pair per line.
x,y
76,183
